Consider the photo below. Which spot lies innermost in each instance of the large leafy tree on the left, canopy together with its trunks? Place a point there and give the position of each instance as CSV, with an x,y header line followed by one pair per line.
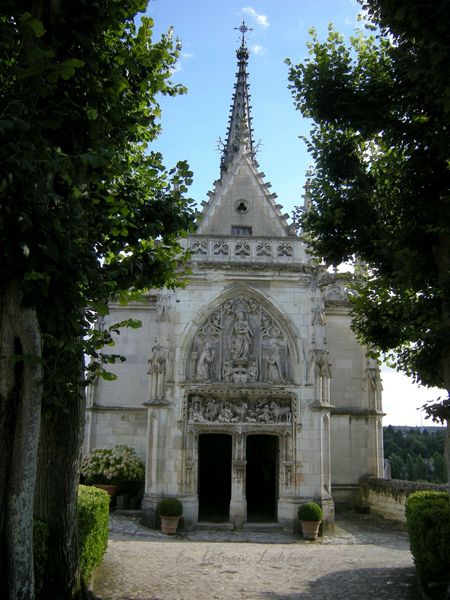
x,y
88,213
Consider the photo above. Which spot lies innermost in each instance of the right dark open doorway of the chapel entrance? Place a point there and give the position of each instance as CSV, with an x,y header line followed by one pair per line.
x,y
261,479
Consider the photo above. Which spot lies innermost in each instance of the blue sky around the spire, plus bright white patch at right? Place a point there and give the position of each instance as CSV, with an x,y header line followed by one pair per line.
x,y
193,123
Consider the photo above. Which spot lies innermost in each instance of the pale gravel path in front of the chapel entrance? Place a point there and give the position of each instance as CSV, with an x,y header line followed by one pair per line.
x,y
365,558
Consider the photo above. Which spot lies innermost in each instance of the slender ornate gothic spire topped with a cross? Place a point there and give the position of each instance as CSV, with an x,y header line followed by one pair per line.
x,y
240,133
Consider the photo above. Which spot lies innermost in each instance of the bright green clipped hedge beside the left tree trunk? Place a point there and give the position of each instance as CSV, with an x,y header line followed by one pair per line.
x,y
93,521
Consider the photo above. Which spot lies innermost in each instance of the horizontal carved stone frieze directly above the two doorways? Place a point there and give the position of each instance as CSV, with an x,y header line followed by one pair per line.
x,y
209,410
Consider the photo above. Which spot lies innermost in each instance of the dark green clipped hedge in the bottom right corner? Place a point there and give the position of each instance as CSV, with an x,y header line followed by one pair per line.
x,y
428,523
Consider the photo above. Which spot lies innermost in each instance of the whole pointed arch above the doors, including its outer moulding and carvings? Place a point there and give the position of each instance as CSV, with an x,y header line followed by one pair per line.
x,y
241,337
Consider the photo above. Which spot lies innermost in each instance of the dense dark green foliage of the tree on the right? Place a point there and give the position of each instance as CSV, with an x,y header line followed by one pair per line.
x,y
380,186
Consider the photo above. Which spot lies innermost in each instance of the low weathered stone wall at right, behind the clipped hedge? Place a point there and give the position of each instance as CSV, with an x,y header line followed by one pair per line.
x,y
387,497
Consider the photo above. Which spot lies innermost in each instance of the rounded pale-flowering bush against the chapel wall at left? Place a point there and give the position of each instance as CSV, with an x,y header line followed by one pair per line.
x,y
117,465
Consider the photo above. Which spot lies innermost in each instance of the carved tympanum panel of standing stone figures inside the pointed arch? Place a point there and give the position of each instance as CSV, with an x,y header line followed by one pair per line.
x,y
240,343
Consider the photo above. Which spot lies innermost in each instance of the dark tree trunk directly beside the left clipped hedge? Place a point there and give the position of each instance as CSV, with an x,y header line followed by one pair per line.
x,y
57,492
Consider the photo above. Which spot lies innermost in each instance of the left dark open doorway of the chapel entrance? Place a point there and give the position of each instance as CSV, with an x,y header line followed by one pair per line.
x,y
214,477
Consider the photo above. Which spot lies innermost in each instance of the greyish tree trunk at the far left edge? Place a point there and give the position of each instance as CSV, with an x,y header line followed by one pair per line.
x,y
20,408
